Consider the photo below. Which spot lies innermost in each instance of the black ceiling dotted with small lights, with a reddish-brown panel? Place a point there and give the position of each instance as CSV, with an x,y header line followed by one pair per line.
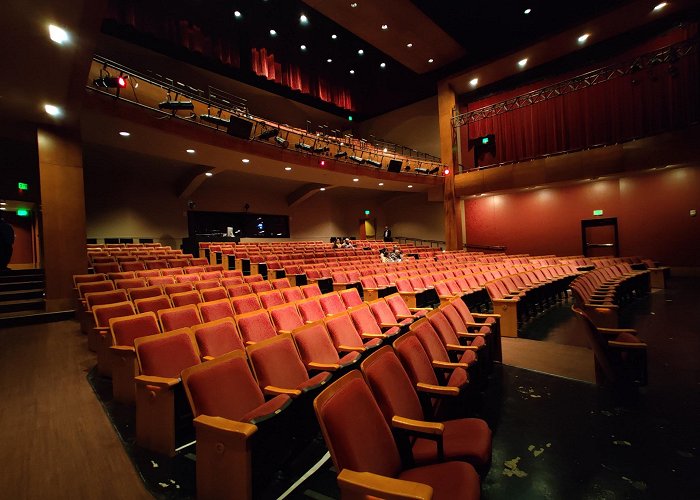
x,y
424,41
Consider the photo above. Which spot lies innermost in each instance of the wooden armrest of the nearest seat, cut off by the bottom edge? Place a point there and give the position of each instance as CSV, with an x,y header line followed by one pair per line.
x,y
367,484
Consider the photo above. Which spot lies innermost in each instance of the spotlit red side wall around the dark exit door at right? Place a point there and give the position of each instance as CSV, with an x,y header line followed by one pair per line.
x,y
652,211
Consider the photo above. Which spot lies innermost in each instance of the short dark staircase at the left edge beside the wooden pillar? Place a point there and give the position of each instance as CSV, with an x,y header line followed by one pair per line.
x,y
22,299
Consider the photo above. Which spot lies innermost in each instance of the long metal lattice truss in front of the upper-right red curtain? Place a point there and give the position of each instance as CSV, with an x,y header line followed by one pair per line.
x,y
669,55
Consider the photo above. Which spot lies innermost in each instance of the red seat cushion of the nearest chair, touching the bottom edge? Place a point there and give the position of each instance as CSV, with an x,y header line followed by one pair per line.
x,y
449,480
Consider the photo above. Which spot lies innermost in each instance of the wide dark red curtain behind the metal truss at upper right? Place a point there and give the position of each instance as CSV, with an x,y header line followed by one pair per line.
x,y
655,99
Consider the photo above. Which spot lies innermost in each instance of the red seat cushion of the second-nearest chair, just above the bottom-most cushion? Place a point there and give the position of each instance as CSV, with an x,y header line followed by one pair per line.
x,y
467,439
